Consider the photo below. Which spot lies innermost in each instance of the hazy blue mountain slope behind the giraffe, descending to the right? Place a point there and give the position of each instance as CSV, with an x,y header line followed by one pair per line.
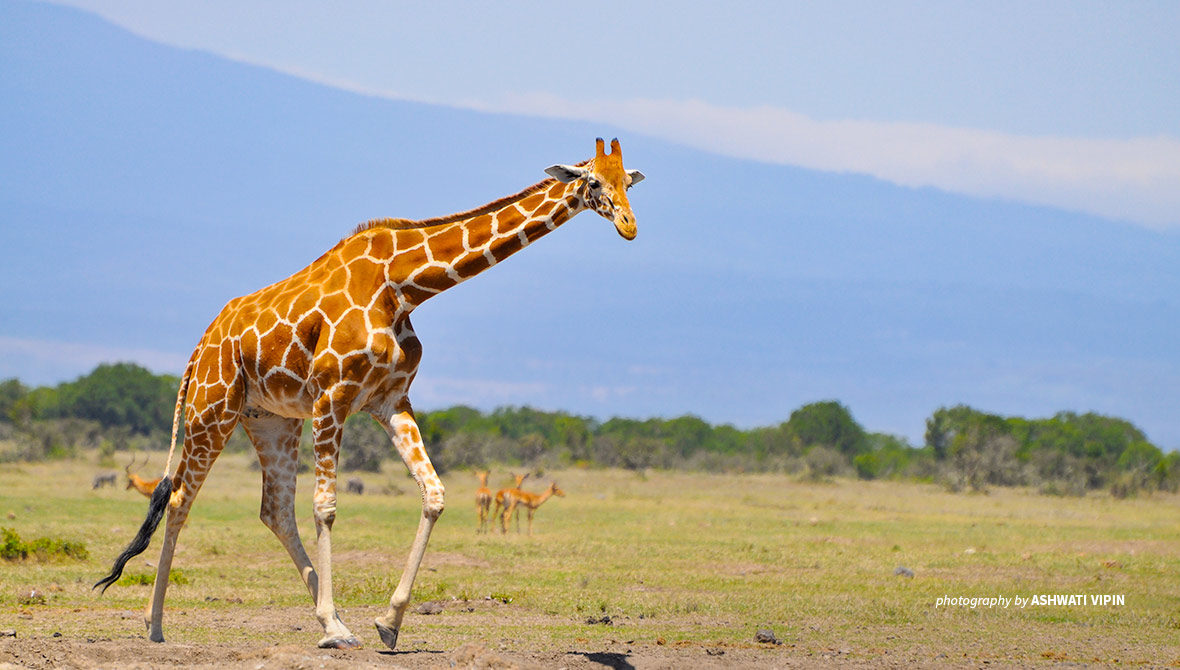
x,y
143,186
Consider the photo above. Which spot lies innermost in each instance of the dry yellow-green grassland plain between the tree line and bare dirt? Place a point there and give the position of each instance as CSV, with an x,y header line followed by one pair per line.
x,y
666,563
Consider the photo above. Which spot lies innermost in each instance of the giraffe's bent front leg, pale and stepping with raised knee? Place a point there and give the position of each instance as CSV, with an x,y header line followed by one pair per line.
x,y
404,431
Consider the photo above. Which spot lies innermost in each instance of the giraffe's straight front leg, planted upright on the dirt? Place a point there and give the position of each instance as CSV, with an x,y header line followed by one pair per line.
x,y
329,430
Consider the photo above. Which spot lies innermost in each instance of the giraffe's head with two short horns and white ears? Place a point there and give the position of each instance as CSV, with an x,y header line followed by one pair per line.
x,y
604,186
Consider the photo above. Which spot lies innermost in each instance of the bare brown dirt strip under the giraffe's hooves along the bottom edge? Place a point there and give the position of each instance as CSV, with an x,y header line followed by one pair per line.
x,y
466,635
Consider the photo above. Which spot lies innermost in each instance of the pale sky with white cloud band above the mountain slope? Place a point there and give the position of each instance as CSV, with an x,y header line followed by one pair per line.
x,y
1065,104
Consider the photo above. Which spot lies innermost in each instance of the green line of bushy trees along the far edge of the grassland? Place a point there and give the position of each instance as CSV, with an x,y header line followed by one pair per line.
x,y
124,406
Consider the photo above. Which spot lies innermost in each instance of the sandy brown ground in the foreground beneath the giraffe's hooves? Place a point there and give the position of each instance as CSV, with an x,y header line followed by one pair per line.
x,y
45,643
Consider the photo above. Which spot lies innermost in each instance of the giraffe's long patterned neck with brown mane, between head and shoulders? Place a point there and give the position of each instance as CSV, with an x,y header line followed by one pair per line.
x,y
434,259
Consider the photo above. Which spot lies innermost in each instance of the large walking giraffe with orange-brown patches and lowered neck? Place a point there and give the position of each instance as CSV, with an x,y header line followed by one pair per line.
x,y
336,339
